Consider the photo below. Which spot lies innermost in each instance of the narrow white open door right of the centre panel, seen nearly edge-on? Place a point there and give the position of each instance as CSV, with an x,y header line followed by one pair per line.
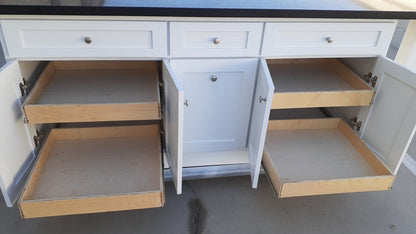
x,y
263,96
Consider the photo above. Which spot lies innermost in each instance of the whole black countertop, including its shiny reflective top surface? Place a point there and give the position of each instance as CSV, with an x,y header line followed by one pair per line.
x,y
362,9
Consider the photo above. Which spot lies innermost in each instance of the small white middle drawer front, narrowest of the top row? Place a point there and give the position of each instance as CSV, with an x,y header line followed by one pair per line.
x,y
215,39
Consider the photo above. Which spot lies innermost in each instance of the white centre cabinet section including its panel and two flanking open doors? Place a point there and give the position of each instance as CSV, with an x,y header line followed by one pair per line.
x,y
217,112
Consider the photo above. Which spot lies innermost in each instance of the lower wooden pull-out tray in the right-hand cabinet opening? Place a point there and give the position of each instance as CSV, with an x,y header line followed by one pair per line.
x,y
320,156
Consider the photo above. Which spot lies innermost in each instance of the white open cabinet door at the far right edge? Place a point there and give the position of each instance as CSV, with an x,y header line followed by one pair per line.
x,y
391,122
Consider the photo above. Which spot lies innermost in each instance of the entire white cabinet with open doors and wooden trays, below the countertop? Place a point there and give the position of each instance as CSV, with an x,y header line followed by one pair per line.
x,y
211,104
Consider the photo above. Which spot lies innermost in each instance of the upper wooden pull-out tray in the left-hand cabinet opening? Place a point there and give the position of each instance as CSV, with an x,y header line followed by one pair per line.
x,y
87,91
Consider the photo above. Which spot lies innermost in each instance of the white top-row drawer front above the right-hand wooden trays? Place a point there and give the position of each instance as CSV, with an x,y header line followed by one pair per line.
x,y
326,39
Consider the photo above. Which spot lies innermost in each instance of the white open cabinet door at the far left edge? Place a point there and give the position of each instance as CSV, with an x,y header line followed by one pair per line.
x,y
16,148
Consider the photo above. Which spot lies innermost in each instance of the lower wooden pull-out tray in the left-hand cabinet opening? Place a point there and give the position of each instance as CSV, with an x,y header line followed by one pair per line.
x,y
90,170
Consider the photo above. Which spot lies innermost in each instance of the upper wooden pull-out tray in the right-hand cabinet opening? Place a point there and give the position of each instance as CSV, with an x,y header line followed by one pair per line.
x,y
305,83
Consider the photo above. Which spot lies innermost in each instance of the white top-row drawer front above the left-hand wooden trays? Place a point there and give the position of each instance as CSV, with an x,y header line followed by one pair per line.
x,y
67,39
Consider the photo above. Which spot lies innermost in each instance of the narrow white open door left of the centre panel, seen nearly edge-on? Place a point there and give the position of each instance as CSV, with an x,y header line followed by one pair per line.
x,y
173,124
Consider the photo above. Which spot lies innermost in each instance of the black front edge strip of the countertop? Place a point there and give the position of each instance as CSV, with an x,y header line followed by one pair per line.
x,y
202,12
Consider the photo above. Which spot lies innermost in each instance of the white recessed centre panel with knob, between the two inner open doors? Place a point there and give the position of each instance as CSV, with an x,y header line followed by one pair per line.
x,y
218,94
